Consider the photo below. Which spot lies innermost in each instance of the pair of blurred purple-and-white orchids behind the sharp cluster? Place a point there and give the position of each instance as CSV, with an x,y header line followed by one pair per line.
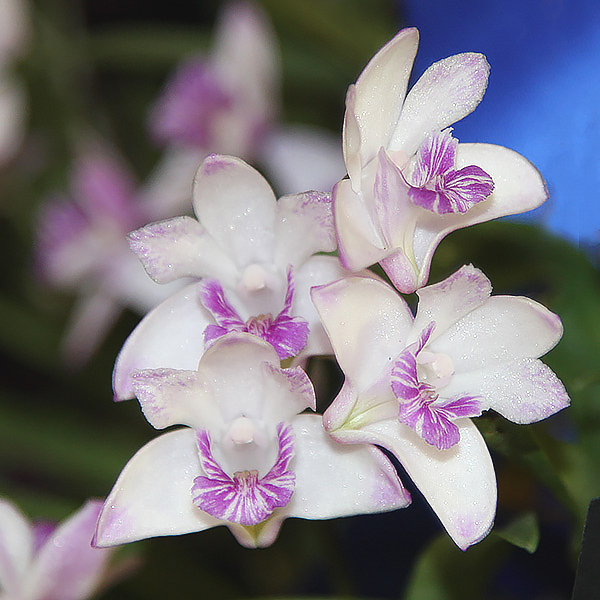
x,y
224,101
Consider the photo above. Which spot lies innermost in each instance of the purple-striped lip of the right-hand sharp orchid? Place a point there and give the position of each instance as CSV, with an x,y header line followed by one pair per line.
x,y
420,405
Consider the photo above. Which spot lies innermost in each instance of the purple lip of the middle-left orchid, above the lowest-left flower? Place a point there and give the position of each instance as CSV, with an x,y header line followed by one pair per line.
x,y
287,334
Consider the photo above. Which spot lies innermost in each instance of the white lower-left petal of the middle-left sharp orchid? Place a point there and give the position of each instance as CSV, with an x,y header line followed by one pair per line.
x,y
170,336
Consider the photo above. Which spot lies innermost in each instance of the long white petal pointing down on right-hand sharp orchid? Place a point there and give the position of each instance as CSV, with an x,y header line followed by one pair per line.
x,y
459,483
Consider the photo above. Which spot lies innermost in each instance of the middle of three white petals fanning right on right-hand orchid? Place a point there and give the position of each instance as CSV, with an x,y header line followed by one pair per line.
x,y
502,329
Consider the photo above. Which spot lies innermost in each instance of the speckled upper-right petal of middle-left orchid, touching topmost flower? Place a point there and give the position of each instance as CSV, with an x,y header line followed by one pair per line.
x,y
304,227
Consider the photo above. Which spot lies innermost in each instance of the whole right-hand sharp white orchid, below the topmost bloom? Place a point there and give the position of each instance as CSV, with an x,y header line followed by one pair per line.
x,y
413,383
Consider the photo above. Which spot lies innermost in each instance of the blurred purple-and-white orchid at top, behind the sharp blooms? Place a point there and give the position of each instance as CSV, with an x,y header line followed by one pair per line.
x,y
227,102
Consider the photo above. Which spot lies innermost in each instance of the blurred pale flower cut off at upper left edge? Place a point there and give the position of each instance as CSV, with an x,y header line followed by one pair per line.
x,y
15,29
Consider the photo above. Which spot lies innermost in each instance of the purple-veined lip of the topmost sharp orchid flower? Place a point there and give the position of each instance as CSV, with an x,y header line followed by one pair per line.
x,y
437,186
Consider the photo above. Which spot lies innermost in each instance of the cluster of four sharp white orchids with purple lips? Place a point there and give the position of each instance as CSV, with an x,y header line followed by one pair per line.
x,y
223,357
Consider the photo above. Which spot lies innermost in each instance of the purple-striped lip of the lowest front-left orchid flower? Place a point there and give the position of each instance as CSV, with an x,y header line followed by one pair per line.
x,y
244,499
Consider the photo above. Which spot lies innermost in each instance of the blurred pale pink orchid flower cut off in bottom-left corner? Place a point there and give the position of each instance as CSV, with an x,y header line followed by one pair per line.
x,y
41,562
